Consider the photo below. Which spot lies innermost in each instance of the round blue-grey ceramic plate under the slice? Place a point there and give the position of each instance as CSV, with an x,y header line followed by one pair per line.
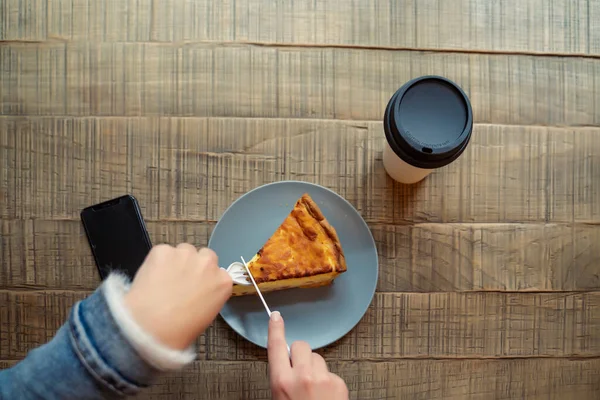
x,y
318,316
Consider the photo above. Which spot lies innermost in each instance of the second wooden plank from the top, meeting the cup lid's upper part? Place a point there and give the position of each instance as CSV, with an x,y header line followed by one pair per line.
x,y
258,81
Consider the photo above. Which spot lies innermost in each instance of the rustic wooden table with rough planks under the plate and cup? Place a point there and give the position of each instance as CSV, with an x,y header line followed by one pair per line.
x,y
490,269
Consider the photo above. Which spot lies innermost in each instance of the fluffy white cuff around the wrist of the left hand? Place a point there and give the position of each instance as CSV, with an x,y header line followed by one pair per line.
x,y
153,352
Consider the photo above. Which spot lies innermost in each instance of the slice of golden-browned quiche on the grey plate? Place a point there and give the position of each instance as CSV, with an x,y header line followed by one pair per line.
x,y
304,252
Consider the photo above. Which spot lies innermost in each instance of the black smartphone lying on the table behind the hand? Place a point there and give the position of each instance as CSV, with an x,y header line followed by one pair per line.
x,y
117,235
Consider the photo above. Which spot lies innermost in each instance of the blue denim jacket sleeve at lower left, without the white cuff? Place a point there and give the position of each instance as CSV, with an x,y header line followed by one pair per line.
x,y
89,358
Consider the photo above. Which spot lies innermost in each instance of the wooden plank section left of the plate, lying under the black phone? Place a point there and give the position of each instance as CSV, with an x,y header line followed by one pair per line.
x,y
55,254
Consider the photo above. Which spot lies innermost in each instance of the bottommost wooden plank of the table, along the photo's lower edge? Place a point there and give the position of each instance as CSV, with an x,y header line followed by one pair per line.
x,y
547,379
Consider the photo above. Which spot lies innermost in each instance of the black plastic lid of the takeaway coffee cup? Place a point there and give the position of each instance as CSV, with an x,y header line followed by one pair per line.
x,y
428,122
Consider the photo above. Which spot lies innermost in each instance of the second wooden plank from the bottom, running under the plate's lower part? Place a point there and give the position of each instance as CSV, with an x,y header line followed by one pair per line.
x,y
397,325
